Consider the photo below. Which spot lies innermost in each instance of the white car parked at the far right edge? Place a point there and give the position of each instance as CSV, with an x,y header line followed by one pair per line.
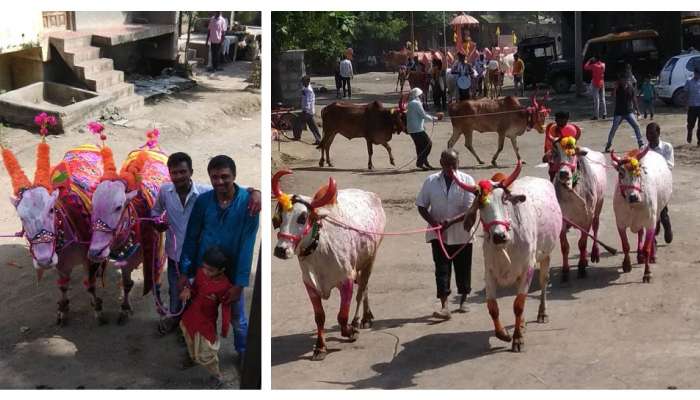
x,y
672,78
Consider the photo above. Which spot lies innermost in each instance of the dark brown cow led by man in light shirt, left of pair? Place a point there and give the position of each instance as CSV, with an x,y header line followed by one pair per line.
x,y
371,121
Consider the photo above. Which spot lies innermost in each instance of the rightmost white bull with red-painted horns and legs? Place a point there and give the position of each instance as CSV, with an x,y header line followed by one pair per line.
x,y
643,189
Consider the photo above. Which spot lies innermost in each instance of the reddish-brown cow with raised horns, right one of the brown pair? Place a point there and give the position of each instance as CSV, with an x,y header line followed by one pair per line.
x,y
505,116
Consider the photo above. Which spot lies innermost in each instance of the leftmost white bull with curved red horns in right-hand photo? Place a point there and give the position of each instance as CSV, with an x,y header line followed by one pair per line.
x,y
331,255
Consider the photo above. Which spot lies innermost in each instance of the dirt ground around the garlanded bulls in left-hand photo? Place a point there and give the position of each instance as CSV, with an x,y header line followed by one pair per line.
x,y
218,116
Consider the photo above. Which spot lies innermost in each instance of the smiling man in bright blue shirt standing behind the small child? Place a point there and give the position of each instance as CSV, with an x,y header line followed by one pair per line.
x,y
220,218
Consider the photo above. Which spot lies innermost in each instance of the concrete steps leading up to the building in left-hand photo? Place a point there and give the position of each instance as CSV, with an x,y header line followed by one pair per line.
x,y
98,73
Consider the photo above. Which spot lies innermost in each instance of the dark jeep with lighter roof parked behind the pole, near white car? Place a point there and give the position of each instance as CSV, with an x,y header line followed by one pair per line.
x,y
638,48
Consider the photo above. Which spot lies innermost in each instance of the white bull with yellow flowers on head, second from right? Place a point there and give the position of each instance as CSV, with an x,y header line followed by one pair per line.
x,y
579,182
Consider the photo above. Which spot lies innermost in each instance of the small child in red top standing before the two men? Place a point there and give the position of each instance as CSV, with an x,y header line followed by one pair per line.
x,y
198,323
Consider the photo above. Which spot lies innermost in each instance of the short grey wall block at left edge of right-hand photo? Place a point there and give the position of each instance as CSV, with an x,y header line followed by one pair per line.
x,y
287,71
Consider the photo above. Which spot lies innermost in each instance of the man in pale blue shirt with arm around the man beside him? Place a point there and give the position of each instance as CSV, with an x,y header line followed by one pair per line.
x,y
174,203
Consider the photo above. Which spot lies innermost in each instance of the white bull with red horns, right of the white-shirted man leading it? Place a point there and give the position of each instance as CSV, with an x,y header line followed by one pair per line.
x,y
521,220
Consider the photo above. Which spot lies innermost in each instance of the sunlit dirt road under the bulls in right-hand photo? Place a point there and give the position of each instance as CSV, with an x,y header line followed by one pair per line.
x,y
606,331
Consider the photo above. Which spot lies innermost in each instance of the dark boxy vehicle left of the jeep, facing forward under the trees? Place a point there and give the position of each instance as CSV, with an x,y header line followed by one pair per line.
x,y
537,52
